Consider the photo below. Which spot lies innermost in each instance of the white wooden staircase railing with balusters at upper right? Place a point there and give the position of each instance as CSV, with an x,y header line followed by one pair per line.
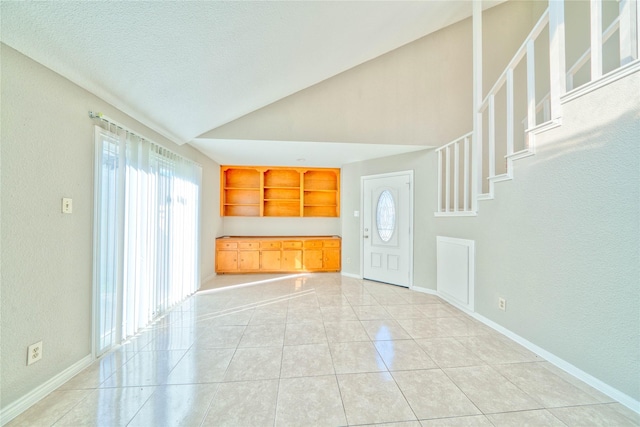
x,y
524,103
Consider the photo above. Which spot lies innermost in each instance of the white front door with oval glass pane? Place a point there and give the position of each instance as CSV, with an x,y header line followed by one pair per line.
x,y
387,228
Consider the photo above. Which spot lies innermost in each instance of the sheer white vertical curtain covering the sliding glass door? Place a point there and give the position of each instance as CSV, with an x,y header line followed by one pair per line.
x,y
147,227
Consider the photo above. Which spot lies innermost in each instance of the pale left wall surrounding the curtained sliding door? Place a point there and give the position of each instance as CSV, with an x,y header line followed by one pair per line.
x,y
47,154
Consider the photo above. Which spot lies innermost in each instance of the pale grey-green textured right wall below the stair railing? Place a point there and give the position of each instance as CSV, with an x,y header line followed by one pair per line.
x,y
561,242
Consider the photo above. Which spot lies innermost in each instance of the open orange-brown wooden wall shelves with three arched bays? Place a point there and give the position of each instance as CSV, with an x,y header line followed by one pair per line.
x,y
279,191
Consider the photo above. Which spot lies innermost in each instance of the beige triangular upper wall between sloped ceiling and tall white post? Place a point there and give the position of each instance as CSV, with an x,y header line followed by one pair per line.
x,y
408,96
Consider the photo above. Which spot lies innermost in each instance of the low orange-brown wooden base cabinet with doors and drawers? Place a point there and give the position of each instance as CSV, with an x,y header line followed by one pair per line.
x,y
277,254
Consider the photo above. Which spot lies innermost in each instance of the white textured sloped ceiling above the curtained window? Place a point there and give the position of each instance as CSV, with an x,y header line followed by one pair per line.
x,y
184,68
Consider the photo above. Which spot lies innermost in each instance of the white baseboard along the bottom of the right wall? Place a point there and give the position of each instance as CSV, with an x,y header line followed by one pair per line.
x,y
594,382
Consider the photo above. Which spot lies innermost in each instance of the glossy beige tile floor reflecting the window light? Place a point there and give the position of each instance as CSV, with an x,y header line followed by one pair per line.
x,y
321,350
